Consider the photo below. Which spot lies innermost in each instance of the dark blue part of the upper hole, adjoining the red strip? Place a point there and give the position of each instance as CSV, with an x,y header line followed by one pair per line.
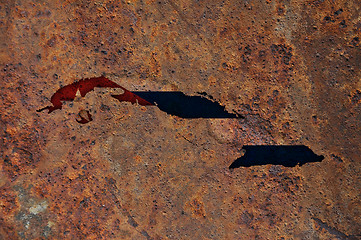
x,y
181,105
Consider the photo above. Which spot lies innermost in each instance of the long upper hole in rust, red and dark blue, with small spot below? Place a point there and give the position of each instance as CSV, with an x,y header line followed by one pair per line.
x,y
174,103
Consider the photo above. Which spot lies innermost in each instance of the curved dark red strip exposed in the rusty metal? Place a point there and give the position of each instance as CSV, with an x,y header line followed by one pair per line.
x,y
84,86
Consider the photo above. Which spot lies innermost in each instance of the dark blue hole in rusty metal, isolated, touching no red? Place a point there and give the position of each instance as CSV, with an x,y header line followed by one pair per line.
x,y
285,155
